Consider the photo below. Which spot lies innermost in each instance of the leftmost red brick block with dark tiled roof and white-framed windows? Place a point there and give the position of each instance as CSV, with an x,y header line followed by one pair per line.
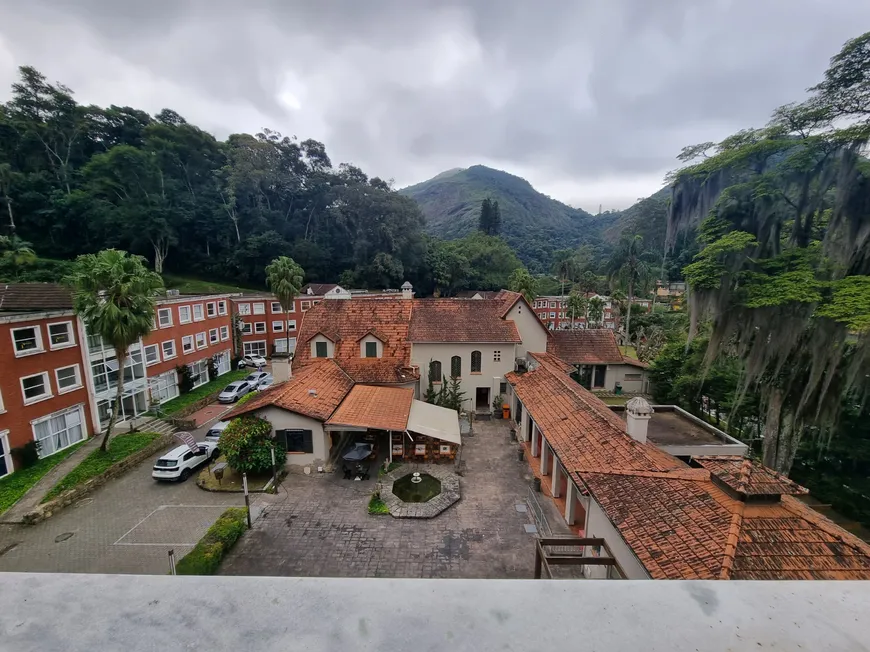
x,y
43,390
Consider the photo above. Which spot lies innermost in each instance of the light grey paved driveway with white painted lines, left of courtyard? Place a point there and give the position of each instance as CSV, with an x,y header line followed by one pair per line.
x,y
127,526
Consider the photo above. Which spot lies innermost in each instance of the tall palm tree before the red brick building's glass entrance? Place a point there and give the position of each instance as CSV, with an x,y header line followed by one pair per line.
x,y
115,294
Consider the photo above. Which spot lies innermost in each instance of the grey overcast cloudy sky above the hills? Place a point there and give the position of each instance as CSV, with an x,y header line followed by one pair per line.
x,y
588,100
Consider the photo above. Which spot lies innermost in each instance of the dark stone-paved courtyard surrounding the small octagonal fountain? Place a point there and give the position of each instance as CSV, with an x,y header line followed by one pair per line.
x,y
322,527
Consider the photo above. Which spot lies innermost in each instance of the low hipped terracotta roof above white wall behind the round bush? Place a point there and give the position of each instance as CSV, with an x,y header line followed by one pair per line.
x,y
330,384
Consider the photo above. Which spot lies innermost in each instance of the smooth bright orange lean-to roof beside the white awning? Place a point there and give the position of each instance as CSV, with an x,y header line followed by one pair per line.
x,y
371,406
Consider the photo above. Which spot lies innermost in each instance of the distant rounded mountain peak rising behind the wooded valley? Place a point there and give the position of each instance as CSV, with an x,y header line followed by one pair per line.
x,y
532,223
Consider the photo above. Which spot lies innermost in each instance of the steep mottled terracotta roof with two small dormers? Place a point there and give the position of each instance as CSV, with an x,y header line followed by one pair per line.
x,y
346,321
